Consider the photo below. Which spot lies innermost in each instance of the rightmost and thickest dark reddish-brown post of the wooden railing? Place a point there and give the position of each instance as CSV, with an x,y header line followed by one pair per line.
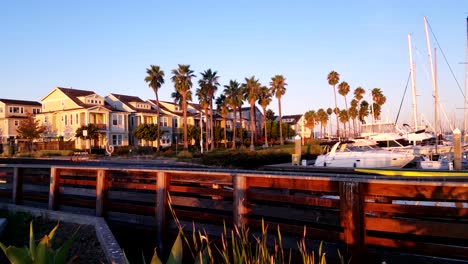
x,y
352,219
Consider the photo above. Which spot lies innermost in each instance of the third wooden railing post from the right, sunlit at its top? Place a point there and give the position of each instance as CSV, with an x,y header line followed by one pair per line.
x,y
162,184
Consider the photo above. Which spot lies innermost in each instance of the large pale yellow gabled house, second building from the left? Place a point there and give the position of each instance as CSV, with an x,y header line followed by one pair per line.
x,y
64,110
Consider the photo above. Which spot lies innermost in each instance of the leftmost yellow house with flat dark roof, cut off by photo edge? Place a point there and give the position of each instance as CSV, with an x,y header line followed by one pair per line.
x,y
11,114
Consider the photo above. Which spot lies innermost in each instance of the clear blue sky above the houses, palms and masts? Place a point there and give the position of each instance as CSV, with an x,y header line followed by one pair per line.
x,y
105,46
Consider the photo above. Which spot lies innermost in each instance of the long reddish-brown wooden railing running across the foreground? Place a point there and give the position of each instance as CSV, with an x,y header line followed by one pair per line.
x,y
363,214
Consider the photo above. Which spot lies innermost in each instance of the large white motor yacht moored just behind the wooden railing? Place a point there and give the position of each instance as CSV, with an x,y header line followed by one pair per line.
x,y
354,154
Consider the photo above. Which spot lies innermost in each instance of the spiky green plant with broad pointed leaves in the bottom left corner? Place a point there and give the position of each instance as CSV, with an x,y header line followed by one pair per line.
x,y
41,252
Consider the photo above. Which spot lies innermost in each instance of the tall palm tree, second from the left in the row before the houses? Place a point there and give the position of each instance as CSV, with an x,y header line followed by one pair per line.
x,y
182,79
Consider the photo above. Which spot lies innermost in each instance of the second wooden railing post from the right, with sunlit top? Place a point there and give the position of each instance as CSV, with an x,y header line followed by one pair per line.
x,y
240,209
